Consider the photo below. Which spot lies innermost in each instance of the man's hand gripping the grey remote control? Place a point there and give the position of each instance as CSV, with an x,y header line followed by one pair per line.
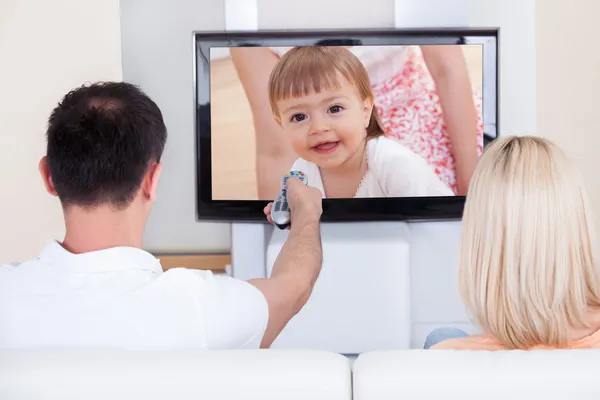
x,y
305,202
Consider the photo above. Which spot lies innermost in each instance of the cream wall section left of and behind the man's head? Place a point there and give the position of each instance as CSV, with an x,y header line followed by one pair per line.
x,y
46,49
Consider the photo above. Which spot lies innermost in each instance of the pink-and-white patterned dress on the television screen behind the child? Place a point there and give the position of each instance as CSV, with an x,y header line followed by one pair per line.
x,y
409,108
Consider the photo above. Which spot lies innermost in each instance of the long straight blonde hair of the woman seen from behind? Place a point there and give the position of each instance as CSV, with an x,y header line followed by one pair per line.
x,y
527,264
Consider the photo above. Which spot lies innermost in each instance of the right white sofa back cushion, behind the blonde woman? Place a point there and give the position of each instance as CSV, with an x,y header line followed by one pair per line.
x,y
477,375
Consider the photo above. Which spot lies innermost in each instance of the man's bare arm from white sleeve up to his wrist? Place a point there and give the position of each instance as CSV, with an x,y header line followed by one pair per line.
x,y
295,272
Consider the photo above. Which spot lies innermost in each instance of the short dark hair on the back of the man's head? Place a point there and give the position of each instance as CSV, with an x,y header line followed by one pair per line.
x,y
101,140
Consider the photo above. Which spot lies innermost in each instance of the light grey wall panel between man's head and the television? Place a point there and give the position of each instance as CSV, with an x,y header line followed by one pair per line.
x,y
157,55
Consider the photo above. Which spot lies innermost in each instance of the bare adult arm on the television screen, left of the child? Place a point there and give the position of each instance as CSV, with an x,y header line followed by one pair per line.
x,y
274,154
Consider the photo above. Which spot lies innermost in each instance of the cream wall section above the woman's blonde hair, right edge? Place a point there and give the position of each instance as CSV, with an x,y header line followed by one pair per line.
x,y
568,83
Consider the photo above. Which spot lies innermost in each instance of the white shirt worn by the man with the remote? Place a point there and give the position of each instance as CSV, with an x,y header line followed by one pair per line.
x,y
120,297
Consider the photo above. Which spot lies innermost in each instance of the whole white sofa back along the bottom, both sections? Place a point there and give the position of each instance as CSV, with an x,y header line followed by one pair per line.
x,y
299,374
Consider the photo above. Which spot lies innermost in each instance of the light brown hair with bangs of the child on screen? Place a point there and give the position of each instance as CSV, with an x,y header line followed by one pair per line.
x,y
307,69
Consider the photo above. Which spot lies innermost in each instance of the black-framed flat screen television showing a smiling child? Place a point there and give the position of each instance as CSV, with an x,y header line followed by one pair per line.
x,y
399,144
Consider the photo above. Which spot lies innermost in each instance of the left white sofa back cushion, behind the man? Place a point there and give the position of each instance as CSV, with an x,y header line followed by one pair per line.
x,y
181,375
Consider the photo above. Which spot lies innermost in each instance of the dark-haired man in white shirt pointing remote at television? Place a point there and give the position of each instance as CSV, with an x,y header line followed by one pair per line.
x,y
98,287
